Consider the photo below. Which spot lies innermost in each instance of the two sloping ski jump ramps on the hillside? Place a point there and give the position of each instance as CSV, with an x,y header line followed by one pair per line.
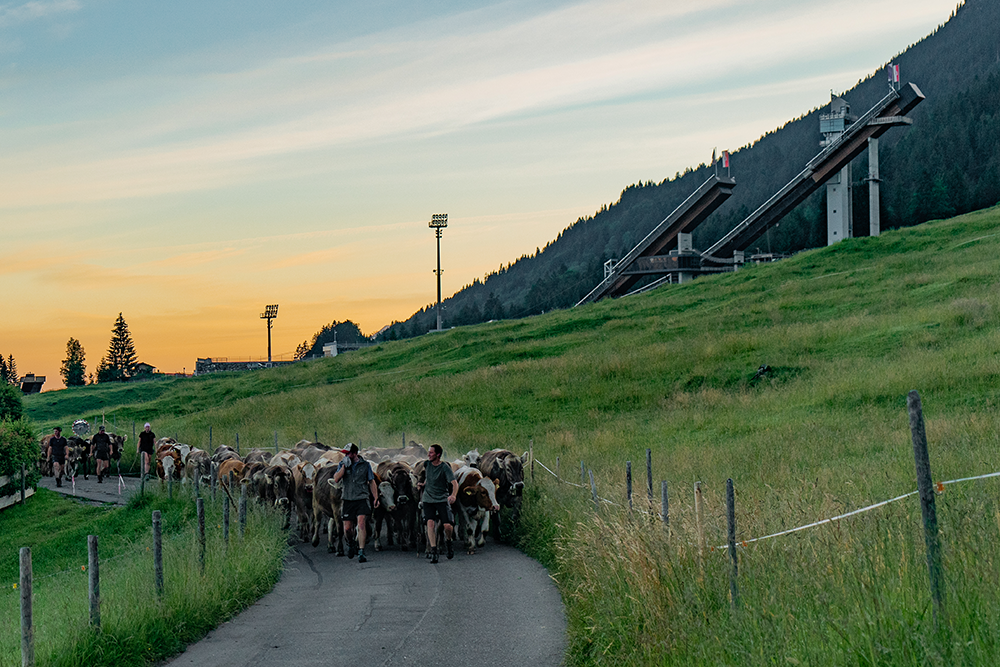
x,y
684,263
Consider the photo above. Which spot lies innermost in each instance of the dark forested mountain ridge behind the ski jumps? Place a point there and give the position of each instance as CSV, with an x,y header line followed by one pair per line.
x,y
947,163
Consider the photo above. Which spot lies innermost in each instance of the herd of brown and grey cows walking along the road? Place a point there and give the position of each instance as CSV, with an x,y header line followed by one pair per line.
x,y
300,479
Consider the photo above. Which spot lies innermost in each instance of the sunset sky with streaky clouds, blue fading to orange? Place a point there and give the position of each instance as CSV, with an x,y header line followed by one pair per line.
x,y
187,163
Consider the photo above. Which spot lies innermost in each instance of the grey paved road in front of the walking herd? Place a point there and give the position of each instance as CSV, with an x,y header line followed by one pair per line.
x,y
497,607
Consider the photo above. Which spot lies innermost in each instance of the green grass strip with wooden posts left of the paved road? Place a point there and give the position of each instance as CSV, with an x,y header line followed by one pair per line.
x,y
136,628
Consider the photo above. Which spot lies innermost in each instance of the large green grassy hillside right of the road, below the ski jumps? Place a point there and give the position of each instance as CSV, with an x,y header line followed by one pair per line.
x,y
847,331
